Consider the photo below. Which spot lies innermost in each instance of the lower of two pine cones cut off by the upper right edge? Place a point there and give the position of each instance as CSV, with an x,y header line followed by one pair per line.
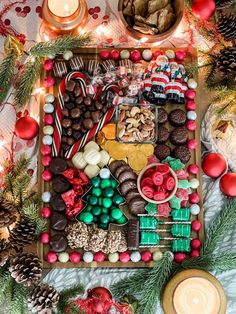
x,y
226,62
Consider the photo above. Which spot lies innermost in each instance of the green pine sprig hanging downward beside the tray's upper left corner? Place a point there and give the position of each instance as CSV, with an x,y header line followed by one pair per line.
x,y
27,81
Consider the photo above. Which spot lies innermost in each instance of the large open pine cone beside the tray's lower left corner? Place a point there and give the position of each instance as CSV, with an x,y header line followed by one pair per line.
x,y
26,268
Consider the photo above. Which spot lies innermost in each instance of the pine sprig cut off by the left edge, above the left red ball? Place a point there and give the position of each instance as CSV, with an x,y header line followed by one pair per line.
x,y
6,74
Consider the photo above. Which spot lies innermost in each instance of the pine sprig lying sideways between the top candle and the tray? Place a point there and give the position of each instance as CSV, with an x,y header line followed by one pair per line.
x,y
60,45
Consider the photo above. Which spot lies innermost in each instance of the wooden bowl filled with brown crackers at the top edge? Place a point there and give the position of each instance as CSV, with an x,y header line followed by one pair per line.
x,y
154,20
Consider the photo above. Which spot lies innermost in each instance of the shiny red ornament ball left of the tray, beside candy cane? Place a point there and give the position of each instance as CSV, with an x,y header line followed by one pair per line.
x,y
26,128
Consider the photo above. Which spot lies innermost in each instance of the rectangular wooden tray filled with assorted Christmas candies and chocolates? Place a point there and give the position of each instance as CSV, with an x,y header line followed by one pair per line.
x,y
120,159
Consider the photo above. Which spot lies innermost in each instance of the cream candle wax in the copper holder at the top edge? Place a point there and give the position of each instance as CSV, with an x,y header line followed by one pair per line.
x,y
63,8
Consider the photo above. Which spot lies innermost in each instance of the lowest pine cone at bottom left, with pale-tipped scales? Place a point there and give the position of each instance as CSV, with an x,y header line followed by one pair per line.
x,y
42,298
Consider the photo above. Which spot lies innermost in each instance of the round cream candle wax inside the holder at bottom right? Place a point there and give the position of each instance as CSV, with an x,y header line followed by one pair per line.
x,y
196,295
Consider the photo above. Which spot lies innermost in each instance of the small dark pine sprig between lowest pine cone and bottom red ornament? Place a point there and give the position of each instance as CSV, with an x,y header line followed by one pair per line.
x,y
68,294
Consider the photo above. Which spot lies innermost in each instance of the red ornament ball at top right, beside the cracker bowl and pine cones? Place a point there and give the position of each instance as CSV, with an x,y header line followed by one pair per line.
x,y
203,9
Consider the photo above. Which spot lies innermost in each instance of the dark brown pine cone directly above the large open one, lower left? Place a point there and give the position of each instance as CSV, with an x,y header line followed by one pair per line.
x,y
23,234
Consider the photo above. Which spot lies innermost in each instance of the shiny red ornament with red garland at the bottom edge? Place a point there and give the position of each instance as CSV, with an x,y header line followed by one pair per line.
x,y
98,305
